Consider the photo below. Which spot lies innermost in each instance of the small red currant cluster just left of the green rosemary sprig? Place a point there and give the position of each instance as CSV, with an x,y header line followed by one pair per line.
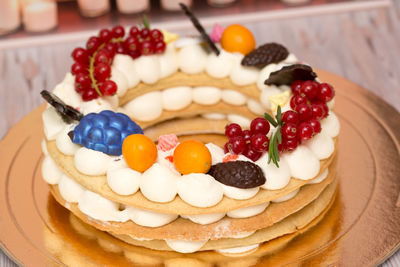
x,y
250,143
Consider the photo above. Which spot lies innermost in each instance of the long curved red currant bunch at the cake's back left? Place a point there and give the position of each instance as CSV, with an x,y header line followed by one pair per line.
x,y
92,65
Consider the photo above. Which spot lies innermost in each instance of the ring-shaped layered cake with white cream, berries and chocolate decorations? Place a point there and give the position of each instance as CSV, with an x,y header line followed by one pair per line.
x,y
191,144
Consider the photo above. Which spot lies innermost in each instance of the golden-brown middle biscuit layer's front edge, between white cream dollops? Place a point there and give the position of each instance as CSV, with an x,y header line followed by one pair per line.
x,y
193,231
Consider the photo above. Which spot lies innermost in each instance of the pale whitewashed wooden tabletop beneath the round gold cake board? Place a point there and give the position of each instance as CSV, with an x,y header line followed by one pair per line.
x,y
362,46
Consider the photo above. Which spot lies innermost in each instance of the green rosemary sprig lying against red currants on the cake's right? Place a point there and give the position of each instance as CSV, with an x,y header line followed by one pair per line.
x,y
276,138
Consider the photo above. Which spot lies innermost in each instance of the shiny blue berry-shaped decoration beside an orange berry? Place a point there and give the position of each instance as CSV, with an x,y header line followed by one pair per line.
x,y
105,131
